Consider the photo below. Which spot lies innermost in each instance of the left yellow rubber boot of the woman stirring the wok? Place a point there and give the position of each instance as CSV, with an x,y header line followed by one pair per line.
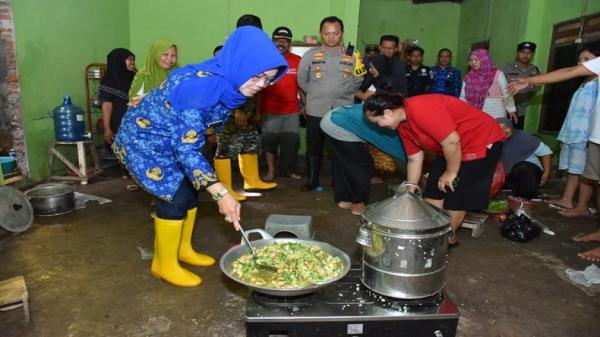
x,y
166,246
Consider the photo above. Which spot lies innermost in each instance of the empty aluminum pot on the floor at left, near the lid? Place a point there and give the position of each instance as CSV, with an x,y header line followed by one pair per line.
x,y
52,199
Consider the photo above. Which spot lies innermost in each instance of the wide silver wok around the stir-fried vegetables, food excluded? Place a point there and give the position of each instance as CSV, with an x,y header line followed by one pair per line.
x,y
236,252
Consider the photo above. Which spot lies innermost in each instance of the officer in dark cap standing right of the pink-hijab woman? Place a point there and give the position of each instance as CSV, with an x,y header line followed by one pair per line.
x,y
522,67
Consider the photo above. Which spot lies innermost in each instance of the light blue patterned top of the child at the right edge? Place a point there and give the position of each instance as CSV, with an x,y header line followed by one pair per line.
x,y
577,124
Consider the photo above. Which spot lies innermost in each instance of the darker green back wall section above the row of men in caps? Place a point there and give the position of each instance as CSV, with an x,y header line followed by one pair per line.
x,y
435,25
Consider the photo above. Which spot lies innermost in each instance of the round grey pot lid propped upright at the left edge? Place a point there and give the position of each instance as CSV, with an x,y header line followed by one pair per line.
x,y
16,212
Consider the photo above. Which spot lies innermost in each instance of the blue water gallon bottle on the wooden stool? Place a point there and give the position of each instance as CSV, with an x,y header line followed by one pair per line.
x,y
69,125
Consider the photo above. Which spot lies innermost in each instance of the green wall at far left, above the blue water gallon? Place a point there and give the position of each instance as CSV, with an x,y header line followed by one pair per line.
x,y
55,41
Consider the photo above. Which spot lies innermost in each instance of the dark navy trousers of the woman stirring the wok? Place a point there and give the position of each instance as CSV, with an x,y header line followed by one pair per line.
x,y
185,198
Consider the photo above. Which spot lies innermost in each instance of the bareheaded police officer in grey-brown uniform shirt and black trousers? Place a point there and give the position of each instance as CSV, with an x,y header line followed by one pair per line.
x,y
330,75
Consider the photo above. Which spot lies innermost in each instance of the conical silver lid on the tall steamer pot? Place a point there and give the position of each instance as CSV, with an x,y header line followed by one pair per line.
x,y
405,211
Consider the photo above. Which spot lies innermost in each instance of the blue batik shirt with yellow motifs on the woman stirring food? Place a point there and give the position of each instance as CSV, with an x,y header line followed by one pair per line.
x,y
161,145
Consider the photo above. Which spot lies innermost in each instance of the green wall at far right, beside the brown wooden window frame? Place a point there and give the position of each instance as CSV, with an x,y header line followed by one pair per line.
x,y
508,22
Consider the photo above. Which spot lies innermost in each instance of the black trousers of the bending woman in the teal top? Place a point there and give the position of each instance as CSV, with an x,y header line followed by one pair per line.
x,y
352,170
